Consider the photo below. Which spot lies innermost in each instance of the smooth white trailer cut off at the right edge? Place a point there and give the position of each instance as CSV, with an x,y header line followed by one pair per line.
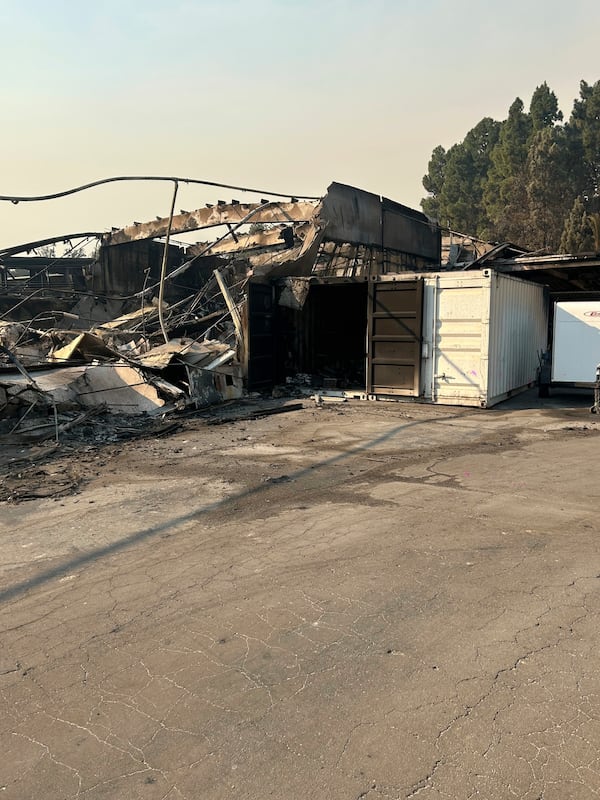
x,y
576,341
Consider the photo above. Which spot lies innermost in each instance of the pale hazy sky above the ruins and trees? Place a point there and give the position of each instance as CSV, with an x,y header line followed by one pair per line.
x,y
286,95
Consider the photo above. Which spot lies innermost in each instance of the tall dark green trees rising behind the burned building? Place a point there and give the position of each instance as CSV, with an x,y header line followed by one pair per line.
x,y
532,179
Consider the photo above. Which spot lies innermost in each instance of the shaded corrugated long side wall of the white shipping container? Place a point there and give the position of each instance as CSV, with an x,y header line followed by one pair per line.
x,y
518,334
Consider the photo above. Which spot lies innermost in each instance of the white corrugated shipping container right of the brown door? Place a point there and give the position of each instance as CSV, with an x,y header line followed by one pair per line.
x,y
483,334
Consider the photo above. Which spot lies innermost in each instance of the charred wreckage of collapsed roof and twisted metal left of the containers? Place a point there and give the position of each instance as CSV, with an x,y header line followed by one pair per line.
x,y
148,325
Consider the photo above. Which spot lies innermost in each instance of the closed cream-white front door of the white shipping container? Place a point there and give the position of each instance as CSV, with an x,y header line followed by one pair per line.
x,y
460,326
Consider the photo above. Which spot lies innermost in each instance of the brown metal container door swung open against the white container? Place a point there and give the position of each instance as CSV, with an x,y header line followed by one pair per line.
x,y
394,352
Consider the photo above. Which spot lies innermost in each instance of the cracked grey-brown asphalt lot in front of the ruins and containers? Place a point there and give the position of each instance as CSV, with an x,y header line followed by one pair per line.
x,y
350,601
